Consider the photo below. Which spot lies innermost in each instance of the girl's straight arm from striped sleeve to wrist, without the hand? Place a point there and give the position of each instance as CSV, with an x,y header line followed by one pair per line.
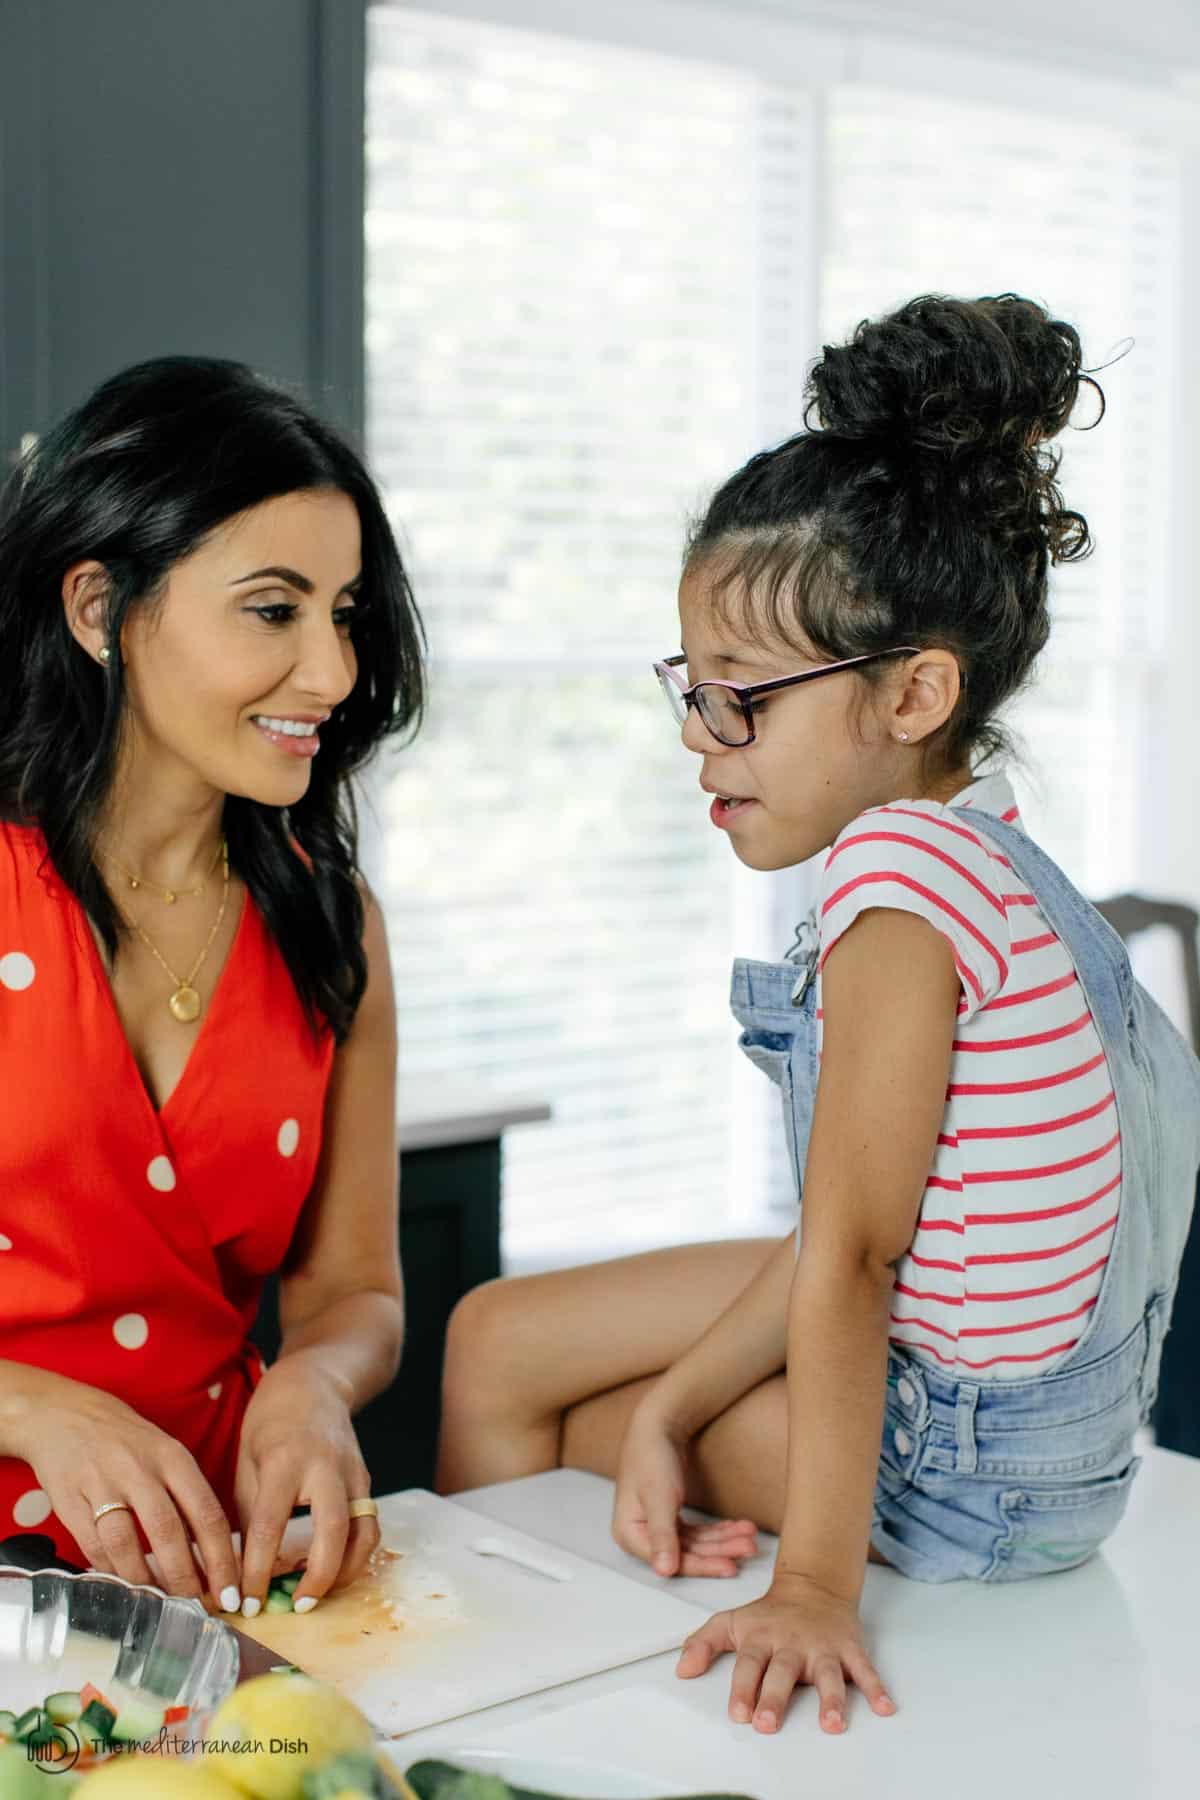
x,y
891,994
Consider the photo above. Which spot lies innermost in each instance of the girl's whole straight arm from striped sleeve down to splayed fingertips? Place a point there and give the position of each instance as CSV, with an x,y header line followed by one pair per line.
x,y
891,994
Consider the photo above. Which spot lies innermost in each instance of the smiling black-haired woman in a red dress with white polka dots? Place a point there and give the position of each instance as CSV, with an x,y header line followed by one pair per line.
x,y
204,631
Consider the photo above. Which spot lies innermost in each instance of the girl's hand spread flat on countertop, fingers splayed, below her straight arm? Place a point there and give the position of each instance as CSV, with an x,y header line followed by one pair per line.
x,y
796,1635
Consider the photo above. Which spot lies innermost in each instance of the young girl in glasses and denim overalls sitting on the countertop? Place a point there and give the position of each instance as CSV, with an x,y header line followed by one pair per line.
x,y
996,1131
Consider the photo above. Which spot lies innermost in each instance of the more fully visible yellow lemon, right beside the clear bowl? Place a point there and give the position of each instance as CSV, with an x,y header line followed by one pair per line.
x,y
287,1725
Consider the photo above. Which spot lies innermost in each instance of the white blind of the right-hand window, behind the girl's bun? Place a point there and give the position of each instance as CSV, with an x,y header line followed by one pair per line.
x,y
938,195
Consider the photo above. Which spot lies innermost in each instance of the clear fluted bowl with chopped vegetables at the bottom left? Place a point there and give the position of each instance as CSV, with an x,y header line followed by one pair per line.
x,y
58,1632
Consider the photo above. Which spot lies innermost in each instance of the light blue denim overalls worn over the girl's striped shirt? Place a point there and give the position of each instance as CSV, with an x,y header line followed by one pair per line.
x,y
998,1480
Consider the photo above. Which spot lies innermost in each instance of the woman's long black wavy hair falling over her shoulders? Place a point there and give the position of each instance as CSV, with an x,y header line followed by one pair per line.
x,y
138,478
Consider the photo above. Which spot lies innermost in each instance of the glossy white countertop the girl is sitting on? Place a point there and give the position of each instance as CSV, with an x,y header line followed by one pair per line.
x,y
1073,1687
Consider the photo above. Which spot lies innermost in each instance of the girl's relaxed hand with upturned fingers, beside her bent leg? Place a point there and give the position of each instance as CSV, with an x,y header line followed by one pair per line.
x,y
652,1477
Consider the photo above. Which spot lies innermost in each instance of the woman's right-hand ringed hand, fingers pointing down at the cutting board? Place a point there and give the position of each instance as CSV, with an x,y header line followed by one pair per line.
x,y
300,1450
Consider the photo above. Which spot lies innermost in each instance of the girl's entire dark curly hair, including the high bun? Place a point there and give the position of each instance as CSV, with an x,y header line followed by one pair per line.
x,y
920,505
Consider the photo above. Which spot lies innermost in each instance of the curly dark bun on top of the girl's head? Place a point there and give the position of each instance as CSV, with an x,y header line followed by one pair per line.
x,y
967,393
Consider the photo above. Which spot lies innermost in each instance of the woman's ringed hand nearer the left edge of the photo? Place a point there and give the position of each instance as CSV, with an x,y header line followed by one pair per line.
x,y
87,1450
